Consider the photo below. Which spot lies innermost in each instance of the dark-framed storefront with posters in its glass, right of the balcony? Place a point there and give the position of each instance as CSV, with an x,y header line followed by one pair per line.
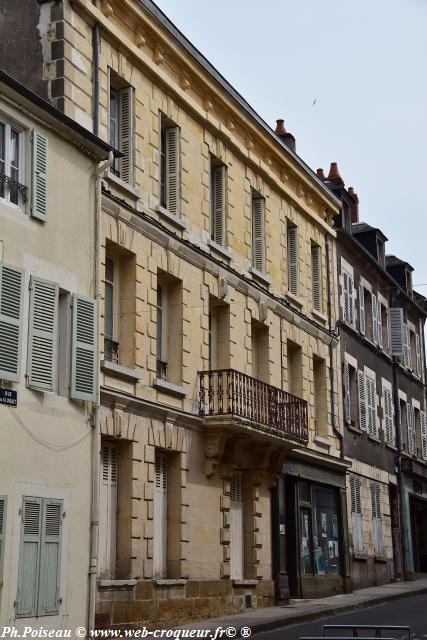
x,y
313,533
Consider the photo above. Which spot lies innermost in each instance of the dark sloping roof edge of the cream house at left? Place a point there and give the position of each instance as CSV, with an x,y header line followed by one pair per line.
x,y
90,140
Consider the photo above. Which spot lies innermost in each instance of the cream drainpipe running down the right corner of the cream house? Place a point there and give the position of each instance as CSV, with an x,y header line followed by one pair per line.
x,y
96,435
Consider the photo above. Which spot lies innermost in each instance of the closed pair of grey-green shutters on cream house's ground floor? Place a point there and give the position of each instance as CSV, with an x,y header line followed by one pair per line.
x,y
39,567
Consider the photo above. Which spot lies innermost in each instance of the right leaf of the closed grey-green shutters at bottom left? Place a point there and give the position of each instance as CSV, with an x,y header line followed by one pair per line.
x,y
50,558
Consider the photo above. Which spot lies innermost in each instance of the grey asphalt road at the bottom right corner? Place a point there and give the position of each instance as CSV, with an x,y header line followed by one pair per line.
x,y
408,611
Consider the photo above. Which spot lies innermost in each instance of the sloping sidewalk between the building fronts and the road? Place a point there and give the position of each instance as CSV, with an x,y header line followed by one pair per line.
x,y
299,611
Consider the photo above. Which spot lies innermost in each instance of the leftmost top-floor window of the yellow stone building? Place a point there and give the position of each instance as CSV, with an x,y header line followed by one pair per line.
x,y
120,123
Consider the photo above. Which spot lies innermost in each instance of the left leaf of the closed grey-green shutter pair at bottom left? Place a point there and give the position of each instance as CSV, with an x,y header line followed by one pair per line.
x,y
29,557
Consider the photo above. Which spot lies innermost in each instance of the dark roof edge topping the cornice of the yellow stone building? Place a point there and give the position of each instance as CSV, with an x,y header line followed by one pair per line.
x,y
158,14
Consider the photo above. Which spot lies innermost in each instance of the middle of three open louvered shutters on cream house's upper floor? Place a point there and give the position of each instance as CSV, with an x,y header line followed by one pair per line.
x,y
43,335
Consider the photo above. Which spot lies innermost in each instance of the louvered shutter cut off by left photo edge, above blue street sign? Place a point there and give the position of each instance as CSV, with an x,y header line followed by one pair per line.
x,y
11,307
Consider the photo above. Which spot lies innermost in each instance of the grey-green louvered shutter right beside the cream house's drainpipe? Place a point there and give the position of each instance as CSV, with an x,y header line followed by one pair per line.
x,y
84,349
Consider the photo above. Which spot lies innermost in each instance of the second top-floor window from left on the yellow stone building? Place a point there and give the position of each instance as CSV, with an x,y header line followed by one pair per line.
x,y
169,166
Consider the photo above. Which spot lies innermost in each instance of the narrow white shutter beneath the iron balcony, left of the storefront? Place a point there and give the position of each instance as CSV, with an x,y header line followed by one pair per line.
x,y
237,526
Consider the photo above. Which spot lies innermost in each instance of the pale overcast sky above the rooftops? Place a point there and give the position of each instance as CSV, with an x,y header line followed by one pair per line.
x,y
364,62
